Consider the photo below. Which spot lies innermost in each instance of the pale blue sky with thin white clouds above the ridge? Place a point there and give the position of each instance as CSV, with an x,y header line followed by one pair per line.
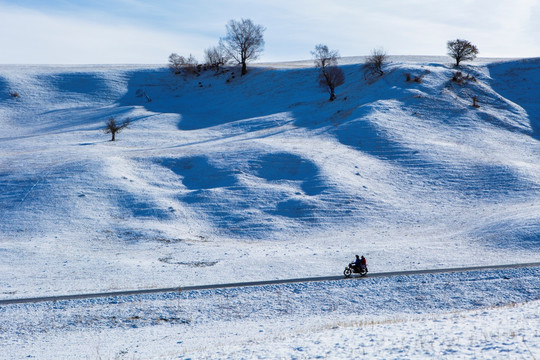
x,y
147,32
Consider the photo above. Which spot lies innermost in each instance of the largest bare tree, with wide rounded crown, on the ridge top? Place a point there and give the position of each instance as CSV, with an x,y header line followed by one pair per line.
x,y
244,41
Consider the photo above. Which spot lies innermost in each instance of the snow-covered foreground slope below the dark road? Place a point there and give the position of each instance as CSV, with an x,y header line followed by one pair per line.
x,y
485,314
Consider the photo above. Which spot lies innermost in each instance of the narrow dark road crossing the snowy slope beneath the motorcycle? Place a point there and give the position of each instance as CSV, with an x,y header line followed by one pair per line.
x,y
259,283
